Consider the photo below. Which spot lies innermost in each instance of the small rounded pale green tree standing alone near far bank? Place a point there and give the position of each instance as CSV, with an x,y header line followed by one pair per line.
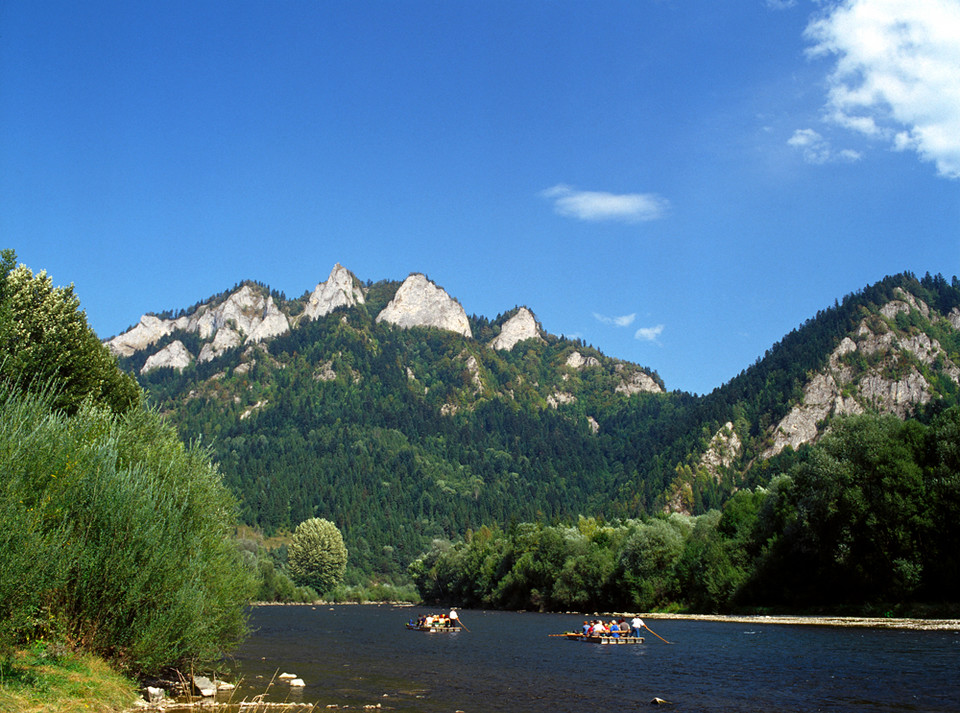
x,y
317,556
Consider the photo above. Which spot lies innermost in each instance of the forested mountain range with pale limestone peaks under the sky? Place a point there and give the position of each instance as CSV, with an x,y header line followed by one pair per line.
x,y
386,409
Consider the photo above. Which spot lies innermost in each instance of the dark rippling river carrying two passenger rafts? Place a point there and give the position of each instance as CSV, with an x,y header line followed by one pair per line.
x,y
356,656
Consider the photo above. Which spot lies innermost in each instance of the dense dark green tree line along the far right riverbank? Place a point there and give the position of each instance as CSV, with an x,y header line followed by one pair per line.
x,y
866,519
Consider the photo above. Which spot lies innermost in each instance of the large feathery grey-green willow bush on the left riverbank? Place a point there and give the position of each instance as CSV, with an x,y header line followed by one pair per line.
x,y
114,536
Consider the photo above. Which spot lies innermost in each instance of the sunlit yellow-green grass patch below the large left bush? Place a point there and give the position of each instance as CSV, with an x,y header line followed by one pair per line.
x,y
48,679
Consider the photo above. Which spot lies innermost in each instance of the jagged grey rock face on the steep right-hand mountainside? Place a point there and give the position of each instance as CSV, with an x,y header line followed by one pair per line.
x,y
824,394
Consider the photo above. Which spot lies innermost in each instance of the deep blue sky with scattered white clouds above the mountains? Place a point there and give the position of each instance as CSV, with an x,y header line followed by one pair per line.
x,y
677,182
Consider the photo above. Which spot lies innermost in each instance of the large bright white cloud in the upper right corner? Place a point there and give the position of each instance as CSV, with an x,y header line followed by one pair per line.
x,y
897,73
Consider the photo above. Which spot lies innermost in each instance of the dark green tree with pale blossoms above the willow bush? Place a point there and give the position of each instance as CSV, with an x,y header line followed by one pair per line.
x,y
45,340
